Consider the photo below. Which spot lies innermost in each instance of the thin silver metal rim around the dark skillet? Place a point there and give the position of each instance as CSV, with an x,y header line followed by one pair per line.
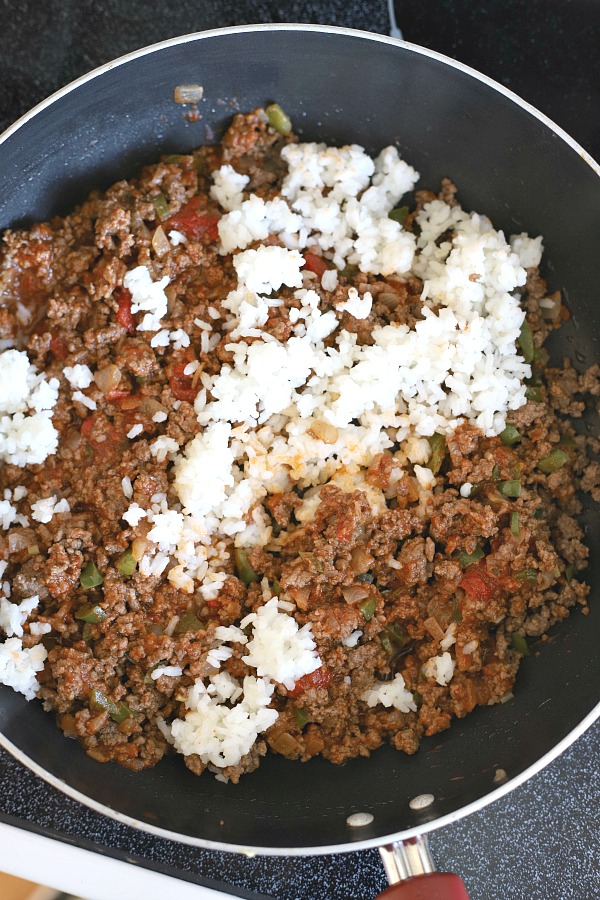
x,y
562,745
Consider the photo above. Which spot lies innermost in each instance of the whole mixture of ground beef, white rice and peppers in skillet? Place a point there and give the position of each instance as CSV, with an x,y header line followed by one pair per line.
x,y
284,462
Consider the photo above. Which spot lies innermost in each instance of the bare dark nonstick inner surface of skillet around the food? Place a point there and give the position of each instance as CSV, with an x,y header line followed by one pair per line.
x,y
337,87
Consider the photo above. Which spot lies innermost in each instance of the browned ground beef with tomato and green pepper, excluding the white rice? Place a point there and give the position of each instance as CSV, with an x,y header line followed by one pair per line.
x,y
495,564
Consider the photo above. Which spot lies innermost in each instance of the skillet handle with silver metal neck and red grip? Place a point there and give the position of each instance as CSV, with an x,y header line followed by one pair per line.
x,y
411,873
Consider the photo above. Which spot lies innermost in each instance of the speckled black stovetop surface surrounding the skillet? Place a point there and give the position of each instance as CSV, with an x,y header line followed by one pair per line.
x,y
542,840
